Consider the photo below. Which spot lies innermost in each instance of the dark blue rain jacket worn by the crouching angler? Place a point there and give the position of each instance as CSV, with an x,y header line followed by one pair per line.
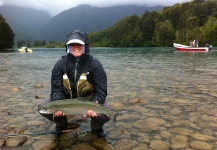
x,y
96,76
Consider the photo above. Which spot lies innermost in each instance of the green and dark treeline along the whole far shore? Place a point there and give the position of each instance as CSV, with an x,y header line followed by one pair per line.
x,y
179,23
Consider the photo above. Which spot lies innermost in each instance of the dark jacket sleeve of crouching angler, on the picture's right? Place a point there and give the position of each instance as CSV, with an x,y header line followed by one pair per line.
x,y
99,82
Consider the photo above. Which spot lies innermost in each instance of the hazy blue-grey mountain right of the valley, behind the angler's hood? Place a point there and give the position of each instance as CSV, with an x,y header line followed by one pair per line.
x,y
89,19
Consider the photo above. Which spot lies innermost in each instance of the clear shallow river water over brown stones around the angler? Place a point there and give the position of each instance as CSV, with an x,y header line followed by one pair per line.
x,y
166,99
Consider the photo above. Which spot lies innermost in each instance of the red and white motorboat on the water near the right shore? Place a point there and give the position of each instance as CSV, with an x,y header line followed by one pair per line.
x,y
184,48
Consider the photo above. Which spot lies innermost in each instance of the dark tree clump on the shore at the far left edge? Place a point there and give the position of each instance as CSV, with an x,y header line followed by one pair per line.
x,y
6,35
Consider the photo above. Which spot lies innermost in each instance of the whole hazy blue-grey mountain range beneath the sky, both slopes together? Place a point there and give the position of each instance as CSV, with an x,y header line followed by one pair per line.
x,y
30,25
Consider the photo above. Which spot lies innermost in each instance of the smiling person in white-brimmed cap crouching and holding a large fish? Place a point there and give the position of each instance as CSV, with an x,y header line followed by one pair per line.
x,y
67,81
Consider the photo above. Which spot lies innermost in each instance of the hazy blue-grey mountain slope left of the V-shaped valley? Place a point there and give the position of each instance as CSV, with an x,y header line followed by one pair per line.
x,y
25,22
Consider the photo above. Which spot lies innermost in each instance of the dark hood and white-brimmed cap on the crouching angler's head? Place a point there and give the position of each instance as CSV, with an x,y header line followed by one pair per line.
x,y
78,35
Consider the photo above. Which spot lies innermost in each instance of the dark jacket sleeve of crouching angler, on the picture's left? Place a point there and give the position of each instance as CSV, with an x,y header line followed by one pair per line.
x,y
57,91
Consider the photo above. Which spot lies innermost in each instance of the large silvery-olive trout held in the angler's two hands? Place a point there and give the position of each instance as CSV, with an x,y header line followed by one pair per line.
x,y
76,107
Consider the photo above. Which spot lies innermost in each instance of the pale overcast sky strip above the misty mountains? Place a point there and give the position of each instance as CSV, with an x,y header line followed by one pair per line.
x,y
54,7
